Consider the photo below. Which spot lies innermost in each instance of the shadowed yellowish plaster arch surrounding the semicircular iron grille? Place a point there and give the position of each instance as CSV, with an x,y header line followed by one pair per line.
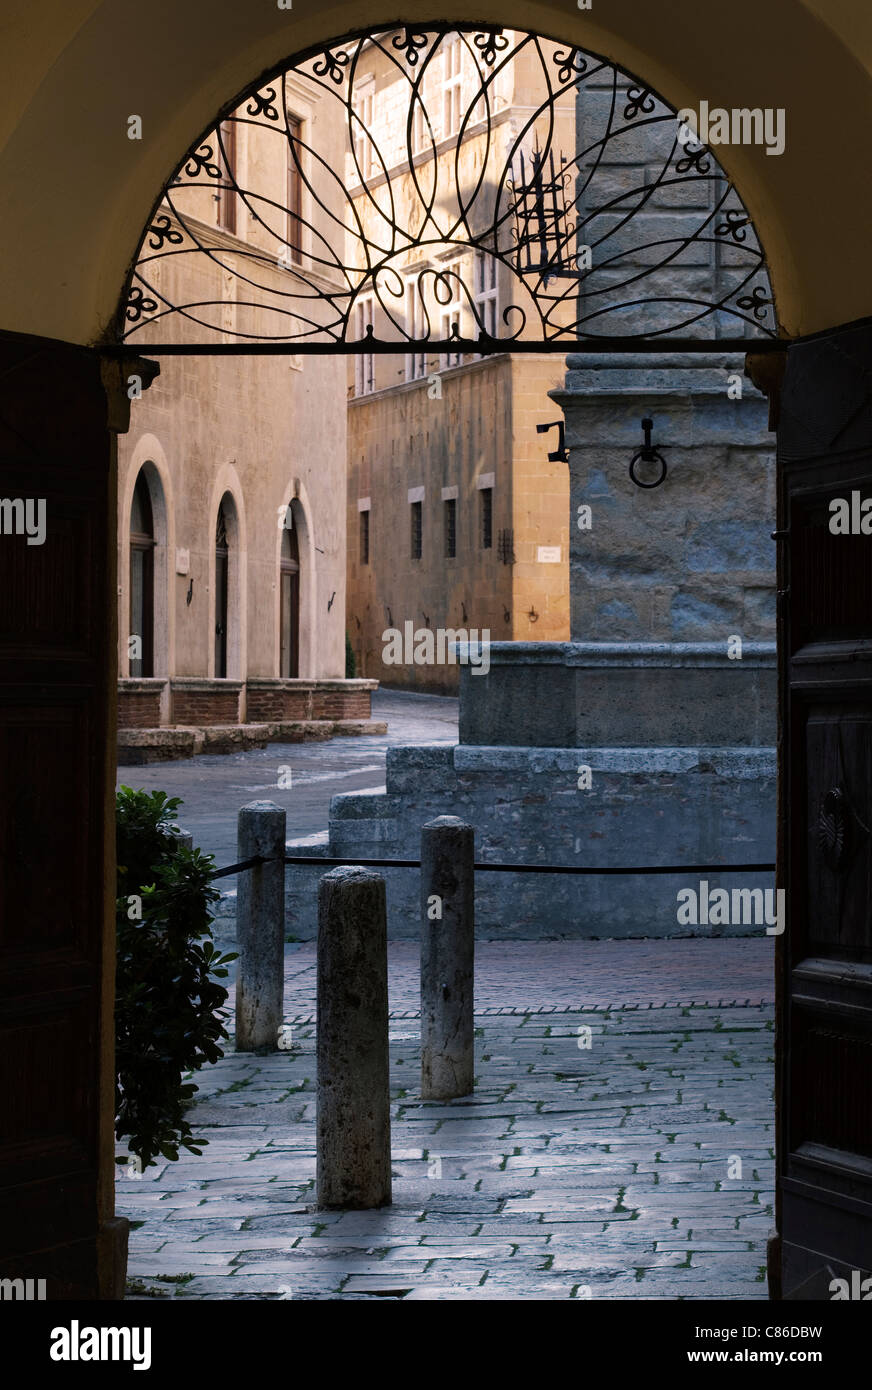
x,y
77,193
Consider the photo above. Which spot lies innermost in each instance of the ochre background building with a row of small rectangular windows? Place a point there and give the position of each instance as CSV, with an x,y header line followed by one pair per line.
x,y
457,518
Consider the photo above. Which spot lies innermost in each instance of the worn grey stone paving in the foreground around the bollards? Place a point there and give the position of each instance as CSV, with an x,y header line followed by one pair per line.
x,y
640,1167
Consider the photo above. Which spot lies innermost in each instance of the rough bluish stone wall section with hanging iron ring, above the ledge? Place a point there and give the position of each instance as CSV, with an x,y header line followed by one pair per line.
x,y
691,561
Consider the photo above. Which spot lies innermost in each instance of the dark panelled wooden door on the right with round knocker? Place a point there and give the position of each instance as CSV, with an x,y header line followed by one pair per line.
x,y
825,1007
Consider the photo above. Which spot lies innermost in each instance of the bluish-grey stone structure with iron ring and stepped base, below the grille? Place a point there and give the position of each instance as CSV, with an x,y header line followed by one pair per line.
x,y
667,692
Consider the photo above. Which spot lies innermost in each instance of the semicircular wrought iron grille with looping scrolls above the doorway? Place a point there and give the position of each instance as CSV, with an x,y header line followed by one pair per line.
x,y
450,184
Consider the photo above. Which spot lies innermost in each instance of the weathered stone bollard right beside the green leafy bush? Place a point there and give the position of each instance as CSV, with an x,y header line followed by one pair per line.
x,y
261,928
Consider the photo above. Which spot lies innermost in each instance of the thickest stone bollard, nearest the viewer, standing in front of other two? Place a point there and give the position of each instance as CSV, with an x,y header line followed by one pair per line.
x,y
354,1090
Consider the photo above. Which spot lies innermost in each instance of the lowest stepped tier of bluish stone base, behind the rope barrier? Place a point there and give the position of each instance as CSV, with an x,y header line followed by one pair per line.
x,y
647,808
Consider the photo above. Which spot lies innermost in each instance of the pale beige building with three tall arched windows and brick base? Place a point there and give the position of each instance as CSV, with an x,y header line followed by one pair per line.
x,y
232,544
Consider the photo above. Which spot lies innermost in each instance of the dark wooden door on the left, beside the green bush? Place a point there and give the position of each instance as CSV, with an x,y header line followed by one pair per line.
x,y
58,637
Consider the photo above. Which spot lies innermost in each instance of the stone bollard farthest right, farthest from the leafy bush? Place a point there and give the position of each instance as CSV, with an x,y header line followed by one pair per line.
x,y
449,942
